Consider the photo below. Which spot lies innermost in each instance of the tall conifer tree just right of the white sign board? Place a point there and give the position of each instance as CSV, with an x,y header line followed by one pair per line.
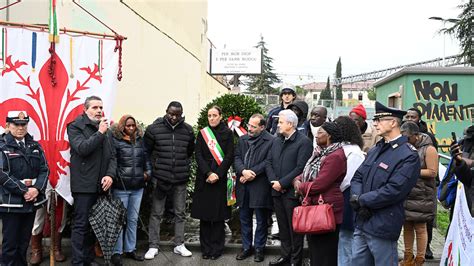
x,y
262,84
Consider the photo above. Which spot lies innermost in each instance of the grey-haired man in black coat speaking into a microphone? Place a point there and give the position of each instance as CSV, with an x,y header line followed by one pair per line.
x,y
93,168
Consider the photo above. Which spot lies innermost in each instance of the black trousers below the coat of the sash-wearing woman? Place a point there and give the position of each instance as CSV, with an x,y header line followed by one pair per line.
x,y
212,237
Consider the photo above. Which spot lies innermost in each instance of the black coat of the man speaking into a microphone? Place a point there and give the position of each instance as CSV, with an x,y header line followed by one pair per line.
x,y
92,155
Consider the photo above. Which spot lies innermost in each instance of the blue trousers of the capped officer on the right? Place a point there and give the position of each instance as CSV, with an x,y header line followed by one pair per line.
x,y
370,250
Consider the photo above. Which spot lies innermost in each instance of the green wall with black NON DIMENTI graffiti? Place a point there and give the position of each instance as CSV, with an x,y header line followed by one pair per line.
x,y
445,100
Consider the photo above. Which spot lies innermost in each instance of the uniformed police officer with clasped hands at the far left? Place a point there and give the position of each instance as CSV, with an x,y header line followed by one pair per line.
x,y
23,178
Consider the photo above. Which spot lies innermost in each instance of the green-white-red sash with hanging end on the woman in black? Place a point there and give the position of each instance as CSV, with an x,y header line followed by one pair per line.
x,y
218,155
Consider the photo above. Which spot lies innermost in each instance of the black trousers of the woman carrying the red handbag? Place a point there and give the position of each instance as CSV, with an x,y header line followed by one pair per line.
x,y
323,248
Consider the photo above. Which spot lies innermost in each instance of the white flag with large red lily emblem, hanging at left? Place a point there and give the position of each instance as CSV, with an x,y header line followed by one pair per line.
x,y
82,66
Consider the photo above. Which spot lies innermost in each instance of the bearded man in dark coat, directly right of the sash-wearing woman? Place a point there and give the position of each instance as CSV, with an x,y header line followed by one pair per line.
x,y
252,190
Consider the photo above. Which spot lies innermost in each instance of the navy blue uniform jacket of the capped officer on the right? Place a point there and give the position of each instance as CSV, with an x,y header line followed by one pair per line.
x,y
383,182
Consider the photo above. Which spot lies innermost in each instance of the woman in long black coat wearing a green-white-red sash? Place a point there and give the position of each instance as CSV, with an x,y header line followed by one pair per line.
x,y
214,157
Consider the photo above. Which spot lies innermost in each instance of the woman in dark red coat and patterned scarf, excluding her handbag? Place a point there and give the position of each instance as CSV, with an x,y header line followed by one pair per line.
x,y
322,176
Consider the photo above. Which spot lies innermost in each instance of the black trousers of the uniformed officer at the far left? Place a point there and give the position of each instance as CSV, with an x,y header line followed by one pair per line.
x,y
16,237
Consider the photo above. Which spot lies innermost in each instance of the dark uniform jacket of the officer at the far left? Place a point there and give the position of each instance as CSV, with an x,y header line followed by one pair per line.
x,y
16,165
